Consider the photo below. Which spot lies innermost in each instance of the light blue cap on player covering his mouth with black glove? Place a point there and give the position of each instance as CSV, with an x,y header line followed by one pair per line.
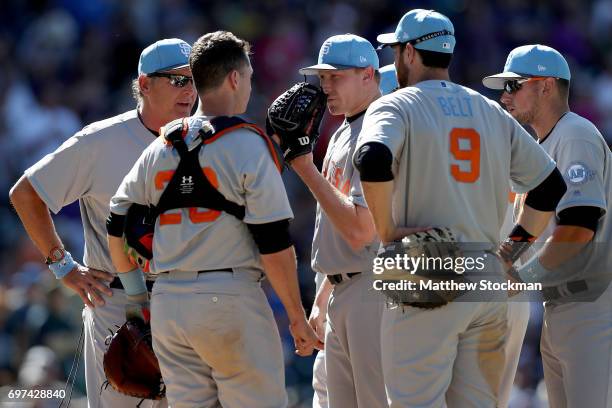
x,y
344,51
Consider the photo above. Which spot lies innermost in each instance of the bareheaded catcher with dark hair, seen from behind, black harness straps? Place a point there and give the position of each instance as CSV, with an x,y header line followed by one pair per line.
x,y
213,330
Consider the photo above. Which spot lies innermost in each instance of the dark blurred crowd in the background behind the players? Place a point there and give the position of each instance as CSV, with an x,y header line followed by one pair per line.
x,y
66,63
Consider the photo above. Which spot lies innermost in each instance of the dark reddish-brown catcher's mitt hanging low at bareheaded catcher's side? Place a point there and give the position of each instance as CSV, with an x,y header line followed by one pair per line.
x,y
130,365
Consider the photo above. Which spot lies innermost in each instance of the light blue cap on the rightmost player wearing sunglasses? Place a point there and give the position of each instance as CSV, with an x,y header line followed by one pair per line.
x,y
530,61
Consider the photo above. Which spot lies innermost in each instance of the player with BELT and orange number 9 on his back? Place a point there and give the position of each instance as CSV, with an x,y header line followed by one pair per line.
x,y
435,153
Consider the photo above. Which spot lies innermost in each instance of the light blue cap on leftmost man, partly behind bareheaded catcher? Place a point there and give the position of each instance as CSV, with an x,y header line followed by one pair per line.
x,y
167,54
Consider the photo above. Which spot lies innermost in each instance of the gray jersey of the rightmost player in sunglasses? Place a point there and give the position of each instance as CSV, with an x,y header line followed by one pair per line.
x,y
585,161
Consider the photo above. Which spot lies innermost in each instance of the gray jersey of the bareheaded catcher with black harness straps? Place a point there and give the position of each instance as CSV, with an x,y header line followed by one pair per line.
x,y
240,167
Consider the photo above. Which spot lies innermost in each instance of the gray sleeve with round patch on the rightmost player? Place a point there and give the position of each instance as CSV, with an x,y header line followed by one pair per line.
x,y
582,165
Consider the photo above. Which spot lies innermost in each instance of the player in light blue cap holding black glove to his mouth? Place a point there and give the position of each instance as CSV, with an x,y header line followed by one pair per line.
x,y
344,241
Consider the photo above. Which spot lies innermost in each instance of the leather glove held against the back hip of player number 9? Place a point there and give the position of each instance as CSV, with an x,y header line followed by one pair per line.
x,y
434,248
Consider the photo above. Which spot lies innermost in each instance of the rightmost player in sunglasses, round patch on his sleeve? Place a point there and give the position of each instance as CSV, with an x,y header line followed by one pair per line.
x,y
575,263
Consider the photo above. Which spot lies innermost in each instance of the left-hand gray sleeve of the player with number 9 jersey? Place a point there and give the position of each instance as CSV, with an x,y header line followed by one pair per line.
x,y
384,123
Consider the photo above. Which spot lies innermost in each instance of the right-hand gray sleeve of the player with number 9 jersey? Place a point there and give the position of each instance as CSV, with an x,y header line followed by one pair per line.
x,y
529,163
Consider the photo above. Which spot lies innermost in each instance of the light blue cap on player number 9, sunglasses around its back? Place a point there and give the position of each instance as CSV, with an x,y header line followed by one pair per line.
x,y
424,29
